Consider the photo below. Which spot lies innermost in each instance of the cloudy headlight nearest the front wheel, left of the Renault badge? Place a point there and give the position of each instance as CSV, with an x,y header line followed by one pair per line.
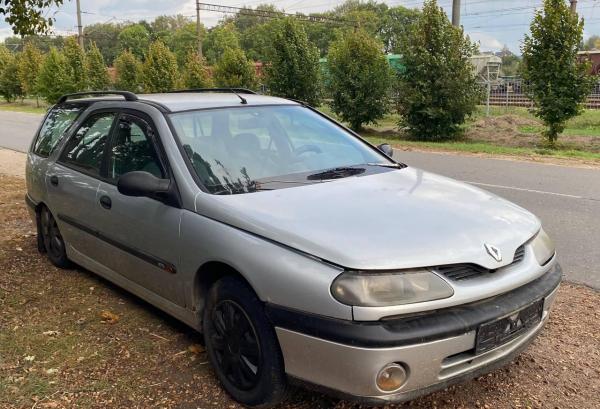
x,y
385,289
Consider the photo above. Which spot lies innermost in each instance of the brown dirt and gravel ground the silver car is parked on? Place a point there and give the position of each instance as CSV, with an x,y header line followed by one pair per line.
x,y
69,339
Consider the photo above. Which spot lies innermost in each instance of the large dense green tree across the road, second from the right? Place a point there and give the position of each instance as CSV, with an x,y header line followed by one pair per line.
x,y
438,90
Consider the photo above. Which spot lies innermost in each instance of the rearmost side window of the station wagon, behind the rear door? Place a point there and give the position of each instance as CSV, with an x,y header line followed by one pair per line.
x,y
54,127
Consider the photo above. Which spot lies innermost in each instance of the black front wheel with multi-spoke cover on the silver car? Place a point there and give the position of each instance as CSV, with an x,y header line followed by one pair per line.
x,y
242,345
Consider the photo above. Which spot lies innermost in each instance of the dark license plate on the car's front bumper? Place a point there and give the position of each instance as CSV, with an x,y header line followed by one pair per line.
x,y
496,333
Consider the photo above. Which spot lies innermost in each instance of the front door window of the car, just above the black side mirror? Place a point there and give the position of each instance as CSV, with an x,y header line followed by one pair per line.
x,y
133,149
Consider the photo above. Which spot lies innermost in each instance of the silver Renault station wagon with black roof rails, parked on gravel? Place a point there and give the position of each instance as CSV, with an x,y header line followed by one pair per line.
x,y
302,253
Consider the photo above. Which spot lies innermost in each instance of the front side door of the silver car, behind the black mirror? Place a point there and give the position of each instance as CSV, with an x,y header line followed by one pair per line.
x,y
143,232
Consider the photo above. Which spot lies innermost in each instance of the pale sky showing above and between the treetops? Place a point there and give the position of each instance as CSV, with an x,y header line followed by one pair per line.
x,y
492,23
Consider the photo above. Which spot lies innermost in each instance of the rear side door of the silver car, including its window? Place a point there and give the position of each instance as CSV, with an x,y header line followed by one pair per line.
x,y
73,181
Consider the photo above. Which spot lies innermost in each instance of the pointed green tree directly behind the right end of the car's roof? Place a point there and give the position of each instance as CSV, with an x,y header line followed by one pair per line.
x,y
293,70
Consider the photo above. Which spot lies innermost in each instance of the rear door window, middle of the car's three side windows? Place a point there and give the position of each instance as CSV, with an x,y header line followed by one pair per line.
x,y
85,149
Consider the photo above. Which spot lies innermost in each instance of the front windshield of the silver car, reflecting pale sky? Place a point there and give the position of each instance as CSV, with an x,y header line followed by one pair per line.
x,y
245,149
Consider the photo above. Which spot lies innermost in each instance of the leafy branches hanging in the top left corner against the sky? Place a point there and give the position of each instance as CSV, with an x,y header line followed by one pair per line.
x,y
28,16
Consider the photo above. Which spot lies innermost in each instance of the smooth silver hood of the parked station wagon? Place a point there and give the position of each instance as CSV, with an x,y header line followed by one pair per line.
x,y
398,219
